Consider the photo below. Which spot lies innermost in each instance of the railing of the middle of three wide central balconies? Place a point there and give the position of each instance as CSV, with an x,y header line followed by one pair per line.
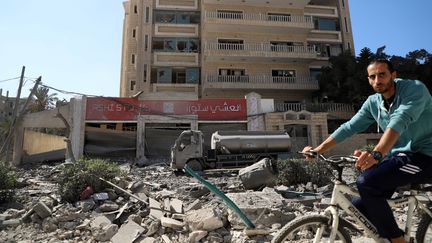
x,y
259,49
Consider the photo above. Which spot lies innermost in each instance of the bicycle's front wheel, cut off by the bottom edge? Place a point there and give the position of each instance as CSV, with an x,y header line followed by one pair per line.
x,y
304,229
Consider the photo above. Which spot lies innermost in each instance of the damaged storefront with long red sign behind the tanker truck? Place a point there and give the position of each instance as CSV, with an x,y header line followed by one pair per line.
x,y
127,127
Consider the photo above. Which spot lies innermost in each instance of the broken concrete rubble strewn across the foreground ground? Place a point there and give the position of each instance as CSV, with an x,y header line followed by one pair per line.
x,y
152,204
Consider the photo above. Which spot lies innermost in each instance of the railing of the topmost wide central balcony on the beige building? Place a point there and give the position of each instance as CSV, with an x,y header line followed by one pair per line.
x,y
295,20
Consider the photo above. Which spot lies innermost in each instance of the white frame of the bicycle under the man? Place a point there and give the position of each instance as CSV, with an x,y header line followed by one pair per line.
x,y
339,200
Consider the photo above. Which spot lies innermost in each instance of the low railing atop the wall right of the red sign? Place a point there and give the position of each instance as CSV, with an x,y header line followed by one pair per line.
x,y
320,107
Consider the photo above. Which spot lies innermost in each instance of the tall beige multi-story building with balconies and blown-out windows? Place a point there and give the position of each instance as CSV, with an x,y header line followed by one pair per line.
x,y
191,49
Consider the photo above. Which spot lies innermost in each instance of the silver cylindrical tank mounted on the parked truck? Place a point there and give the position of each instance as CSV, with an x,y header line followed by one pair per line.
x,y
238,142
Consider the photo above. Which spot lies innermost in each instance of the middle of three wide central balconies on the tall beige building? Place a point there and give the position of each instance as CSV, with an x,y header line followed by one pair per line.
x,y
253,52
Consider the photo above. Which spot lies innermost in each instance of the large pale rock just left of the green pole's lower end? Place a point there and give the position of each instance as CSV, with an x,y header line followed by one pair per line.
x,y
204,219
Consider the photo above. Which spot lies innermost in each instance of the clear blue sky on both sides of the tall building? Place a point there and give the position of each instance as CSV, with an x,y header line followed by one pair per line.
x,y
75,45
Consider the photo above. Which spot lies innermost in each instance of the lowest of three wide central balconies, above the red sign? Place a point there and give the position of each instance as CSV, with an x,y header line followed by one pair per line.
x,y
259,82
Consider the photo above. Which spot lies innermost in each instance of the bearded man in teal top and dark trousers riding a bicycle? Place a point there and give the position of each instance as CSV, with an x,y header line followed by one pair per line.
x,y
403,155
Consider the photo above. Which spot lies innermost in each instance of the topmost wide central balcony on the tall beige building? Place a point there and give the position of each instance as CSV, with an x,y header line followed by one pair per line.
x,y
253,23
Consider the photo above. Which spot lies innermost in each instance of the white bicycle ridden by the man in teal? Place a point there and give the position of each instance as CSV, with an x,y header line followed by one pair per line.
x,y
321,227
